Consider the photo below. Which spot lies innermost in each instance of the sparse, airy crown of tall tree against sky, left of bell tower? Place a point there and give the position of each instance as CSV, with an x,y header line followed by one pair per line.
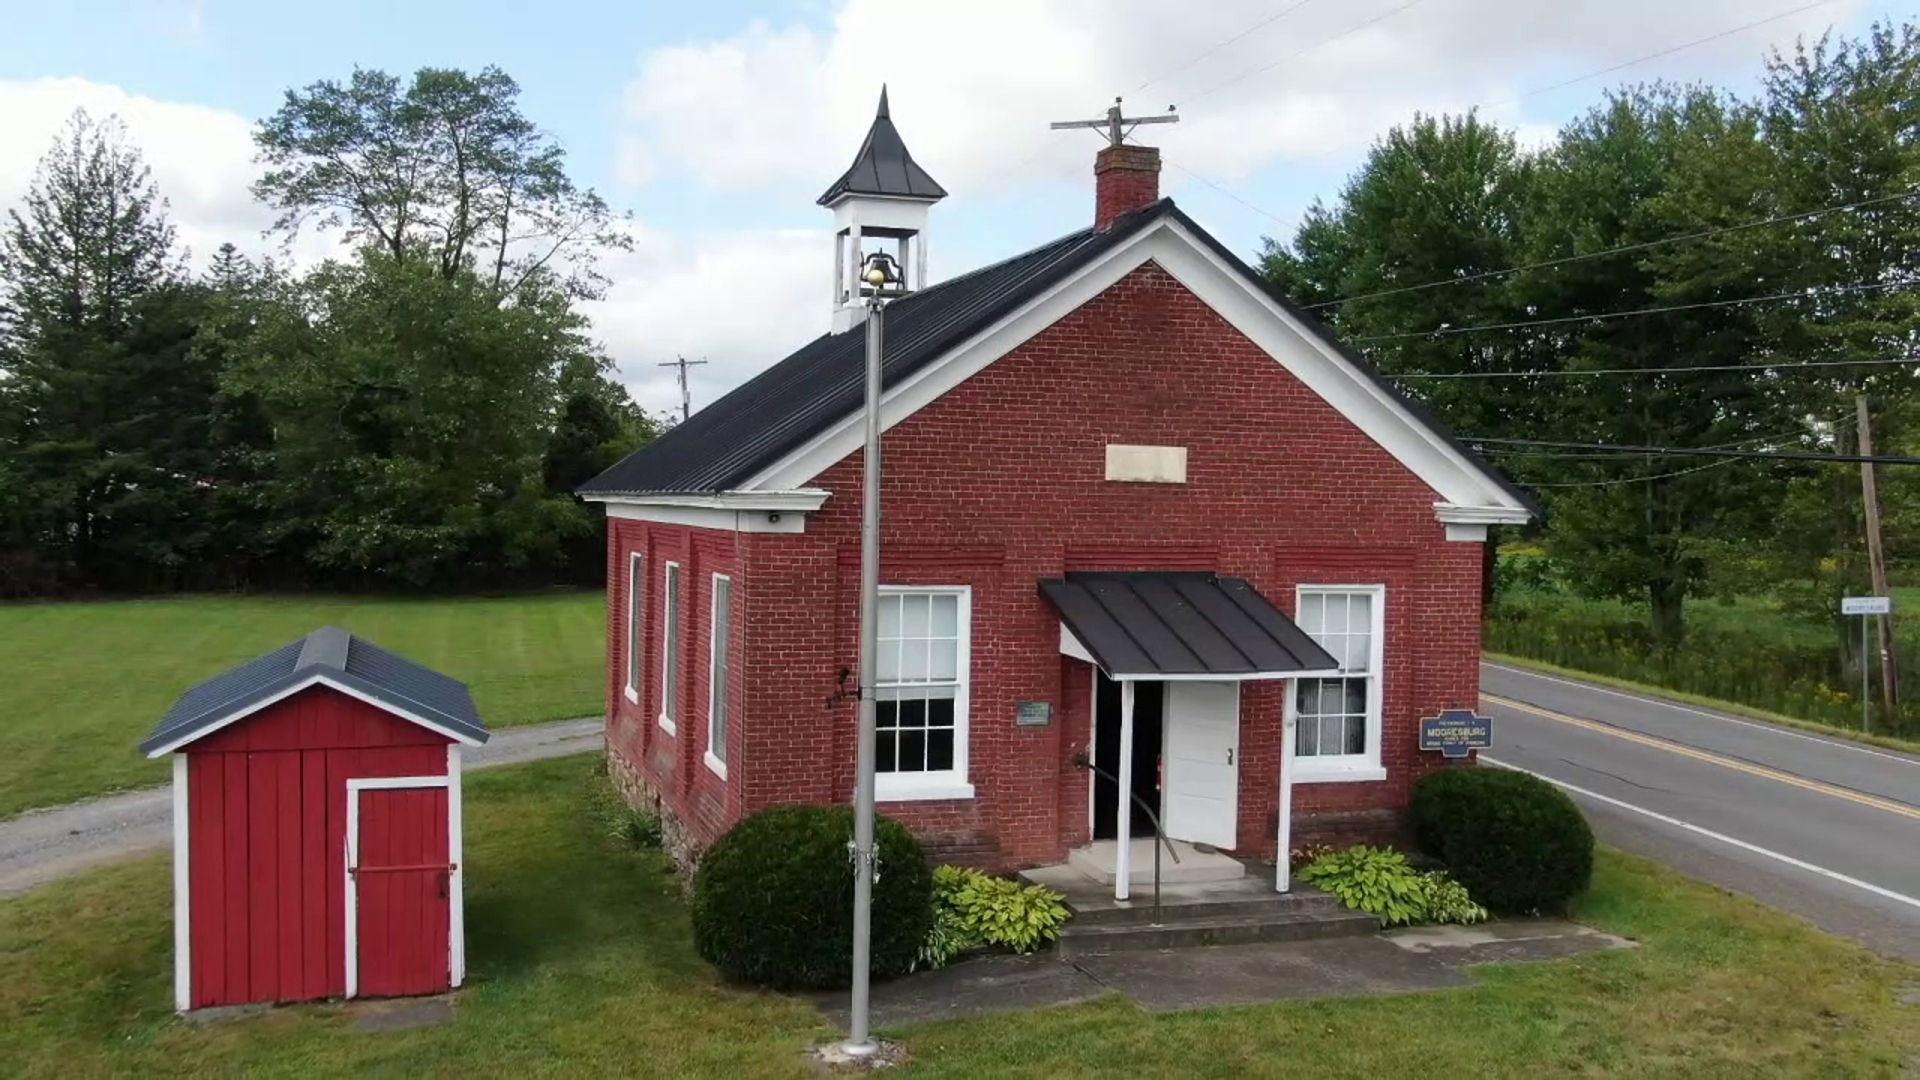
x,y
443,168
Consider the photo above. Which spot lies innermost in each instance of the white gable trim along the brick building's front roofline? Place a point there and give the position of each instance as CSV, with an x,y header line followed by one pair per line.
x,y
1301,351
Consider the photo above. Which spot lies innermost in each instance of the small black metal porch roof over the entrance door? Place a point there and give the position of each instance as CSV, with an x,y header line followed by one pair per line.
x,y
1145,626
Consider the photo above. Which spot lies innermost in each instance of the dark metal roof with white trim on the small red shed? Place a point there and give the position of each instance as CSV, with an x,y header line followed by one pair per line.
x,y
389,679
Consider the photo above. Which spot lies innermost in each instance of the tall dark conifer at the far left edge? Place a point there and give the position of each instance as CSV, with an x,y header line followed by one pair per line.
x,y
103,403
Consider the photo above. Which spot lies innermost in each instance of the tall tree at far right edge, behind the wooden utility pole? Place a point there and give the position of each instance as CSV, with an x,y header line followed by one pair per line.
x,y
1844,124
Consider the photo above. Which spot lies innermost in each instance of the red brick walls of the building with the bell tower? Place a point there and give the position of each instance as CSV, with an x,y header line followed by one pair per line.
x,y
1001,483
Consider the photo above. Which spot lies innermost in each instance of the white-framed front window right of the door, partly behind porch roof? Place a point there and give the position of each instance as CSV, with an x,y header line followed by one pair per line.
x,y
1337,720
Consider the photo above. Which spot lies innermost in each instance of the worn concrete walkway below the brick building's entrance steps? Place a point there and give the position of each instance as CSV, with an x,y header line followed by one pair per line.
x,y
1164,981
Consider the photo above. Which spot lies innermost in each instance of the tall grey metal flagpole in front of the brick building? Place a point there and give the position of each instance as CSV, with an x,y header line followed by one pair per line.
x,y
882,282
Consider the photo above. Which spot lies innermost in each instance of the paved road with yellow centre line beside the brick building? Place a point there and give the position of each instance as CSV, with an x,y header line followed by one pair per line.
x,y
1823,827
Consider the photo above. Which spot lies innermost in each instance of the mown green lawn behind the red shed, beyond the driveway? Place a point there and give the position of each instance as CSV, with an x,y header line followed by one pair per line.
x,y
84,683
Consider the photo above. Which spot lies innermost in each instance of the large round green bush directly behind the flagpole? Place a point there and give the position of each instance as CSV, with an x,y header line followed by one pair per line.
x,y
773,900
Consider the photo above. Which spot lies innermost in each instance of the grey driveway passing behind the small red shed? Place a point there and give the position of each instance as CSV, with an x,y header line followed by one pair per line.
x,y
41,847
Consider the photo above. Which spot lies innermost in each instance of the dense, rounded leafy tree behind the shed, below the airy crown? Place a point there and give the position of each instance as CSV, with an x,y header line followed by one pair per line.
x,y
412,416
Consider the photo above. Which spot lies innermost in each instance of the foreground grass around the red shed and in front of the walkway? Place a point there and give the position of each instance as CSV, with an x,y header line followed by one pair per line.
x,y
583,966
